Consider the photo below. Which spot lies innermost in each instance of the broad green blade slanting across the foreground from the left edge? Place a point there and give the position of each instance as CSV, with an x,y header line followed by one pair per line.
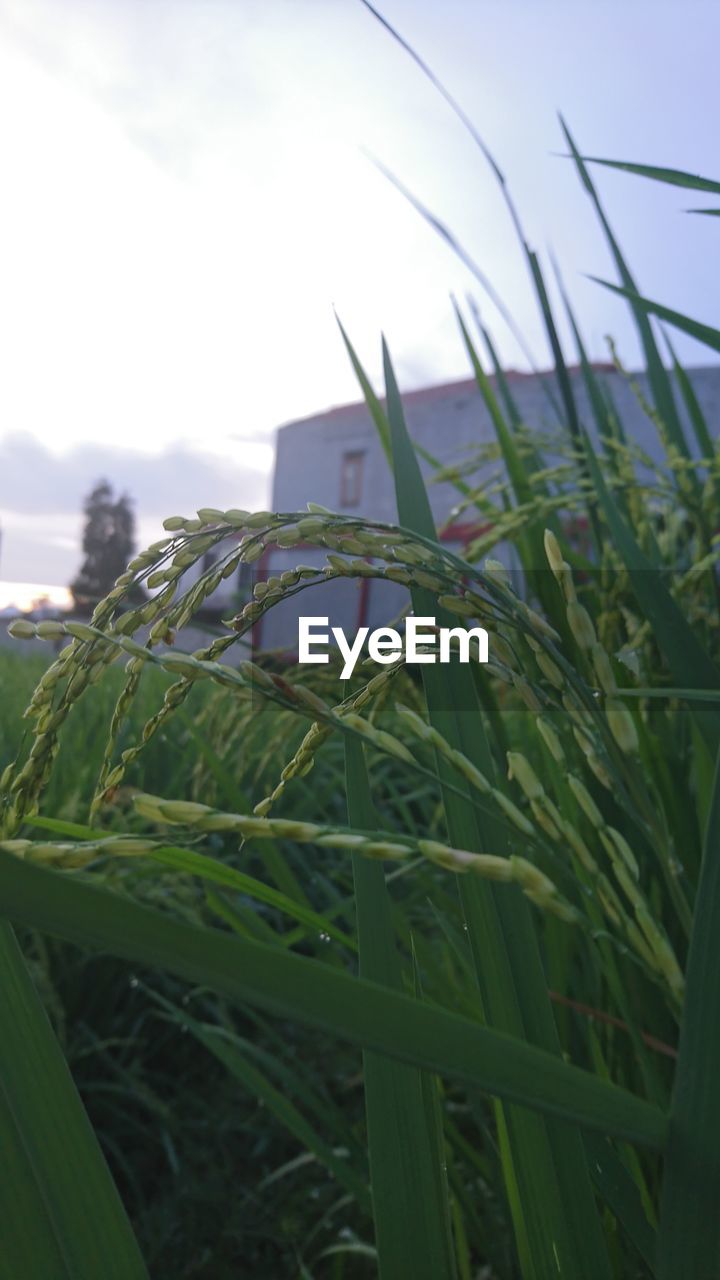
x,y
312,993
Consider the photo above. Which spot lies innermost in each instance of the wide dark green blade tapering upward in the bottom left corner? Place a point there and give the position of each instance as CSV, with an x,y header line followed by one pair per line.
x,y
76,1226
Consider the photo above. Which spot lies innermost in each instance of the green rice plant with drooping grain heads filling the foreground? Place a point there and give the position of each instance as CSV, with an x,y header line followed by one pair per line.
x,y
496,883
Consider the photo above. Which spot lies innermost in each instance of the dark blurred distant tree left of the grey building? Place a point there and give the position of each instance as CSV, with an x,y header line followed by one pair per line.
x,y
108,545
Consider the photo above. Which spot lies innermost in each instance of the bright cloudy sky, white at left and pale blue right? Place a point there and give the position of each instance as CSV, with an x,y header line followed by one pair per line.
x,y
189,193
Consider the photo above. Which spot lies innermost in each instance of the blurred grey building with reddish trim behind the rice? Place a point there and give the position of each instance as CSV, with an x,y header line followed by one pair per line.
x,y
336,459
